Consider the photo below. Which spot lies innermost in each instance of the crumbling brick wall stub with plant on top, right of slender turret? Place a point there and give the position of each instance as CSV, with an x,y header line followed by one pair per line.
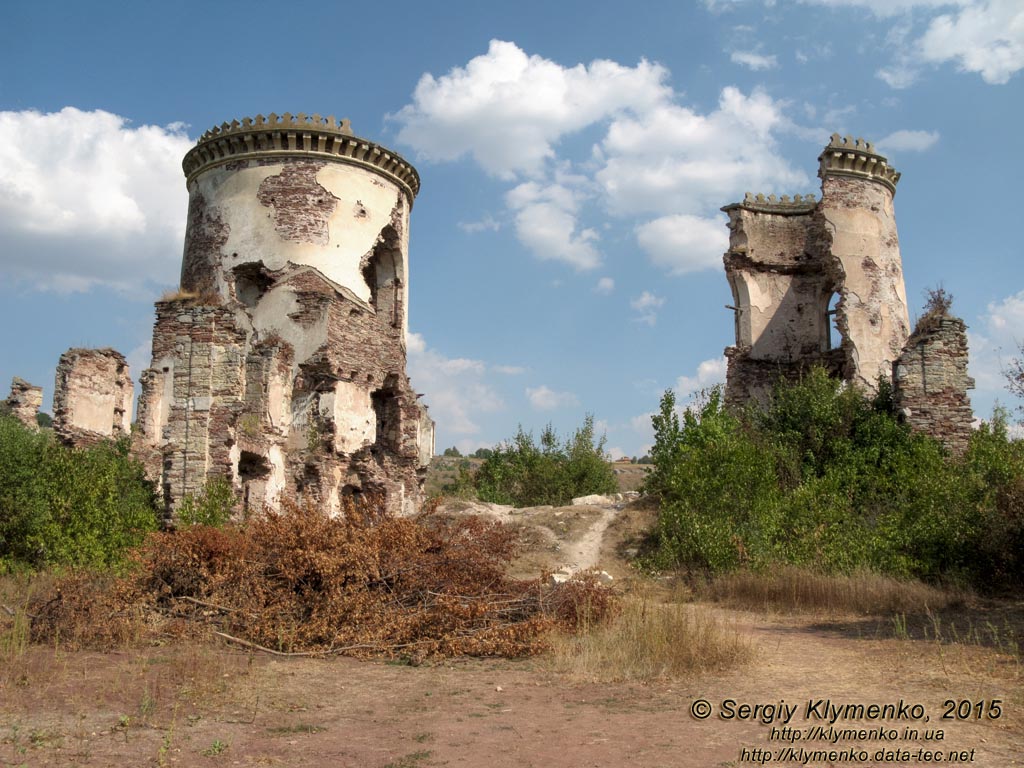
x,y
931,383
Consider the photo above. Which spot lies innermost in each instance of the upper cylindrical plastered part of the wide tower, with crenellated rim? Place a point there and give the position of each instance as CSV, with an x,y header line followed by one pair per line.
x,y
303,191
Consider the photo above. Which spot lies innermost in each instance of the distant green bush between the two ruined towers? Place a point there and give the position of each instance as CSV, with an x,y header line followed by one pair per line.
x,y
526,475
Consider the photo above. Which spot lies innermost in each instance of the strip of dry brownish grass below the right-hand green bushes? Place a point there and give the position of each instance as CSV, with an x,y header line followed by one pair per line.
x,y
797,590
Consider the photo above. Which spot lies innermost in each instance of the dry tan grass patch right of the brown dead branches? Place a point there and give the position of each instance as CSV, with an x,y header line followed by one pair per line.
x,y
652,641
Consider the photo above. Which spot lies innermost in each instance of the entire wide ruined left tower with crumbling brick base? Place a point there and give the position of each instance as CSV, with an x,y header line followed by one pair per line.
x,y
281,365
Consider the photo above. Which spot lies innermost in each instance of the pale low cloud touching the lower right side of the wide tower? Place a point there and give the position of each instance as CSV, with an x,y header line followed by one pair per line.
x,y
457,391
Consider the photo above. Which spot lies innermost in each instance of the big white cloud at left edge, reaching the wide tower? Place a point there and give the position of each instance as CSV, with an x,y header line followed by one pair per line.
x,y
88,200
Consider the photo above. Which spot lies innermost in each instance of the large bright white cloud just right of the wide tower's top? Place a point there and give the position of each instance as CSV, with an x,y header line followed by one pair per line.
x,y
508,110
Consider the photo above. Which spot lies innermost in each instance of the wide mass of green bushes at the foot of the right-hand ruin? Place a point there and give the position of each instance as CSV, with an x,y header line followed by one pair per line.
x,y
828,479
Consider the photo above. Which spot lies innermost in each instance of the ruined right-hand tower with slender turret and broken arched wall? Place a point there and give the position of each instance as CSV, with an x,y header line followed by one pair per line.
x,y
819,282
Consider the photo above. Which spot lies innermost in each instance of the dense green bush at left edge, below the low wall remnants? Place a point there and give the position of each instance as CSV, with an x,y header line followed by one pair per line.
x,y
69,507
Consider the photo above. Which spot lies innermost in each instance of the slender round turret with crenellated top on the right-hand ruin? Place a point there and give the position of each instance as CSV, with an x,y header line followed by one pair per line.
x,y
858,190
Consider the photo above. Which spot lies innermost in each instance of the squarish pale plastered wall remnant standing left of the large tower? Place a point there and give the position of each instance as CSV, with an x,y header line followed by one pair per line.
x,y
93,397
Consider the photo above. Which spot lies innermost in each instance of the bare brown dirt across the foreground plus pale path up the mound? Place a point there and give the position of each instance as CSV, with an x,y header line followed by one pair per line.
x,y
198,705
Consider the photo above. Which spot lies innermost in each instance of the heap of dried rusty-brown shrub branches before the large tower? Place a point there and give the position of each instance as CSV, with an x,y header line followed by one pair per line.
x,y
363,584
